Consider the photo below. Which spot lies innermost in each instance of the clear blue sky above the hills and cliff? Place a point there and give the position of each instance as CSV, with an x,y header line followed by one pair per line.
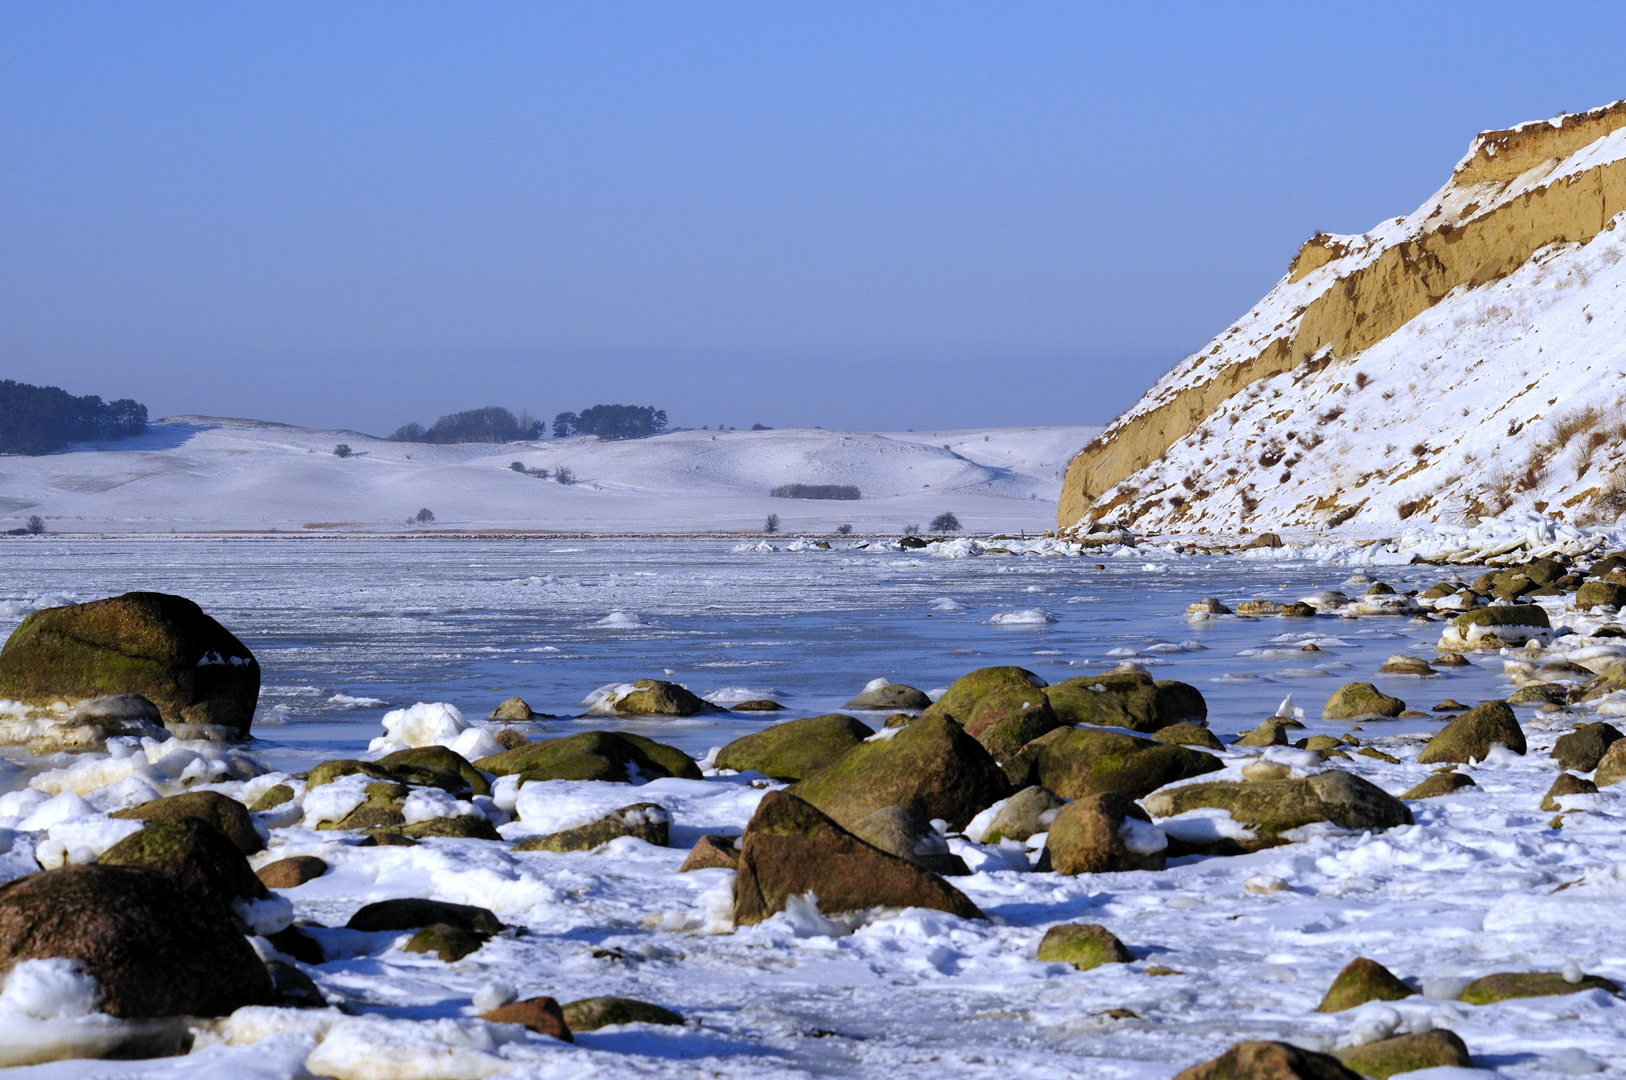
x,y
863,216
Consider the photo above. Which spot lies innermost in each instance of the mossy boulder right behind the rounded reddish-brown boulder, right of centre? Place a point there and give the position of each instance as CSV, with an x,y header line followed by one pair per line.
x,y
1087,762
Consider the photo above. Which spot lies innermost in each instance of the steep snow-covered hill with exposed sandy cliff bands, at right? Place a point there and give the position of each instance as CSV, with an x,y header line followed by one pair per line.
x,y
1461,362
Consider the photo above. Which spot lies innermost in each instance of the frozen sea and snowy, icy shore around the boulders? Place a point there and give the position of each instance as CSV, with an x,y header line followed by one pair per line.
x,y
350,629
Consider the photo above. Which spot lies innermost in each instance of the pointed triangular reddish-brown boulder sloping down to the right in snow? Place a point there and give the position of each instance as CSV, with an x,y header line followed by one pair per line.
x,y
791,848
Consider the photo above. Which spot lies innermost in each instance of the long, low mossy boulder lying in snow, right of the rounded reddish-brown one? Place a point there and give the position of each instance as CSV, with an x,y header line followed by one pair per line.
x,y
1279,806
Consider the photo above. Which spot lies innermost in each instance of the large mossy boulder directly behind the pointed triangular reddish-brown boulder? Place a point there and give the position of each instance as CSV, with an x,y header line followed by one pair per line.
x,y
933,767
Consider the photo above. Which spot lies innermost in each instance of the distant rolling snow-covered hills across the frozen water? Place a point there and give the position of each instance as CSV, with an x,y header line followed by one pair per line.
x,y
214,474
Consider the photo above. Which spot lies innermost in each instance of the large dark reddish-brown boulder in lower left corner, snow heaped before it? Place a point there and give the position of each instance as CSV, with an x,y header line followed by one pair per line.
x,y
157,949
